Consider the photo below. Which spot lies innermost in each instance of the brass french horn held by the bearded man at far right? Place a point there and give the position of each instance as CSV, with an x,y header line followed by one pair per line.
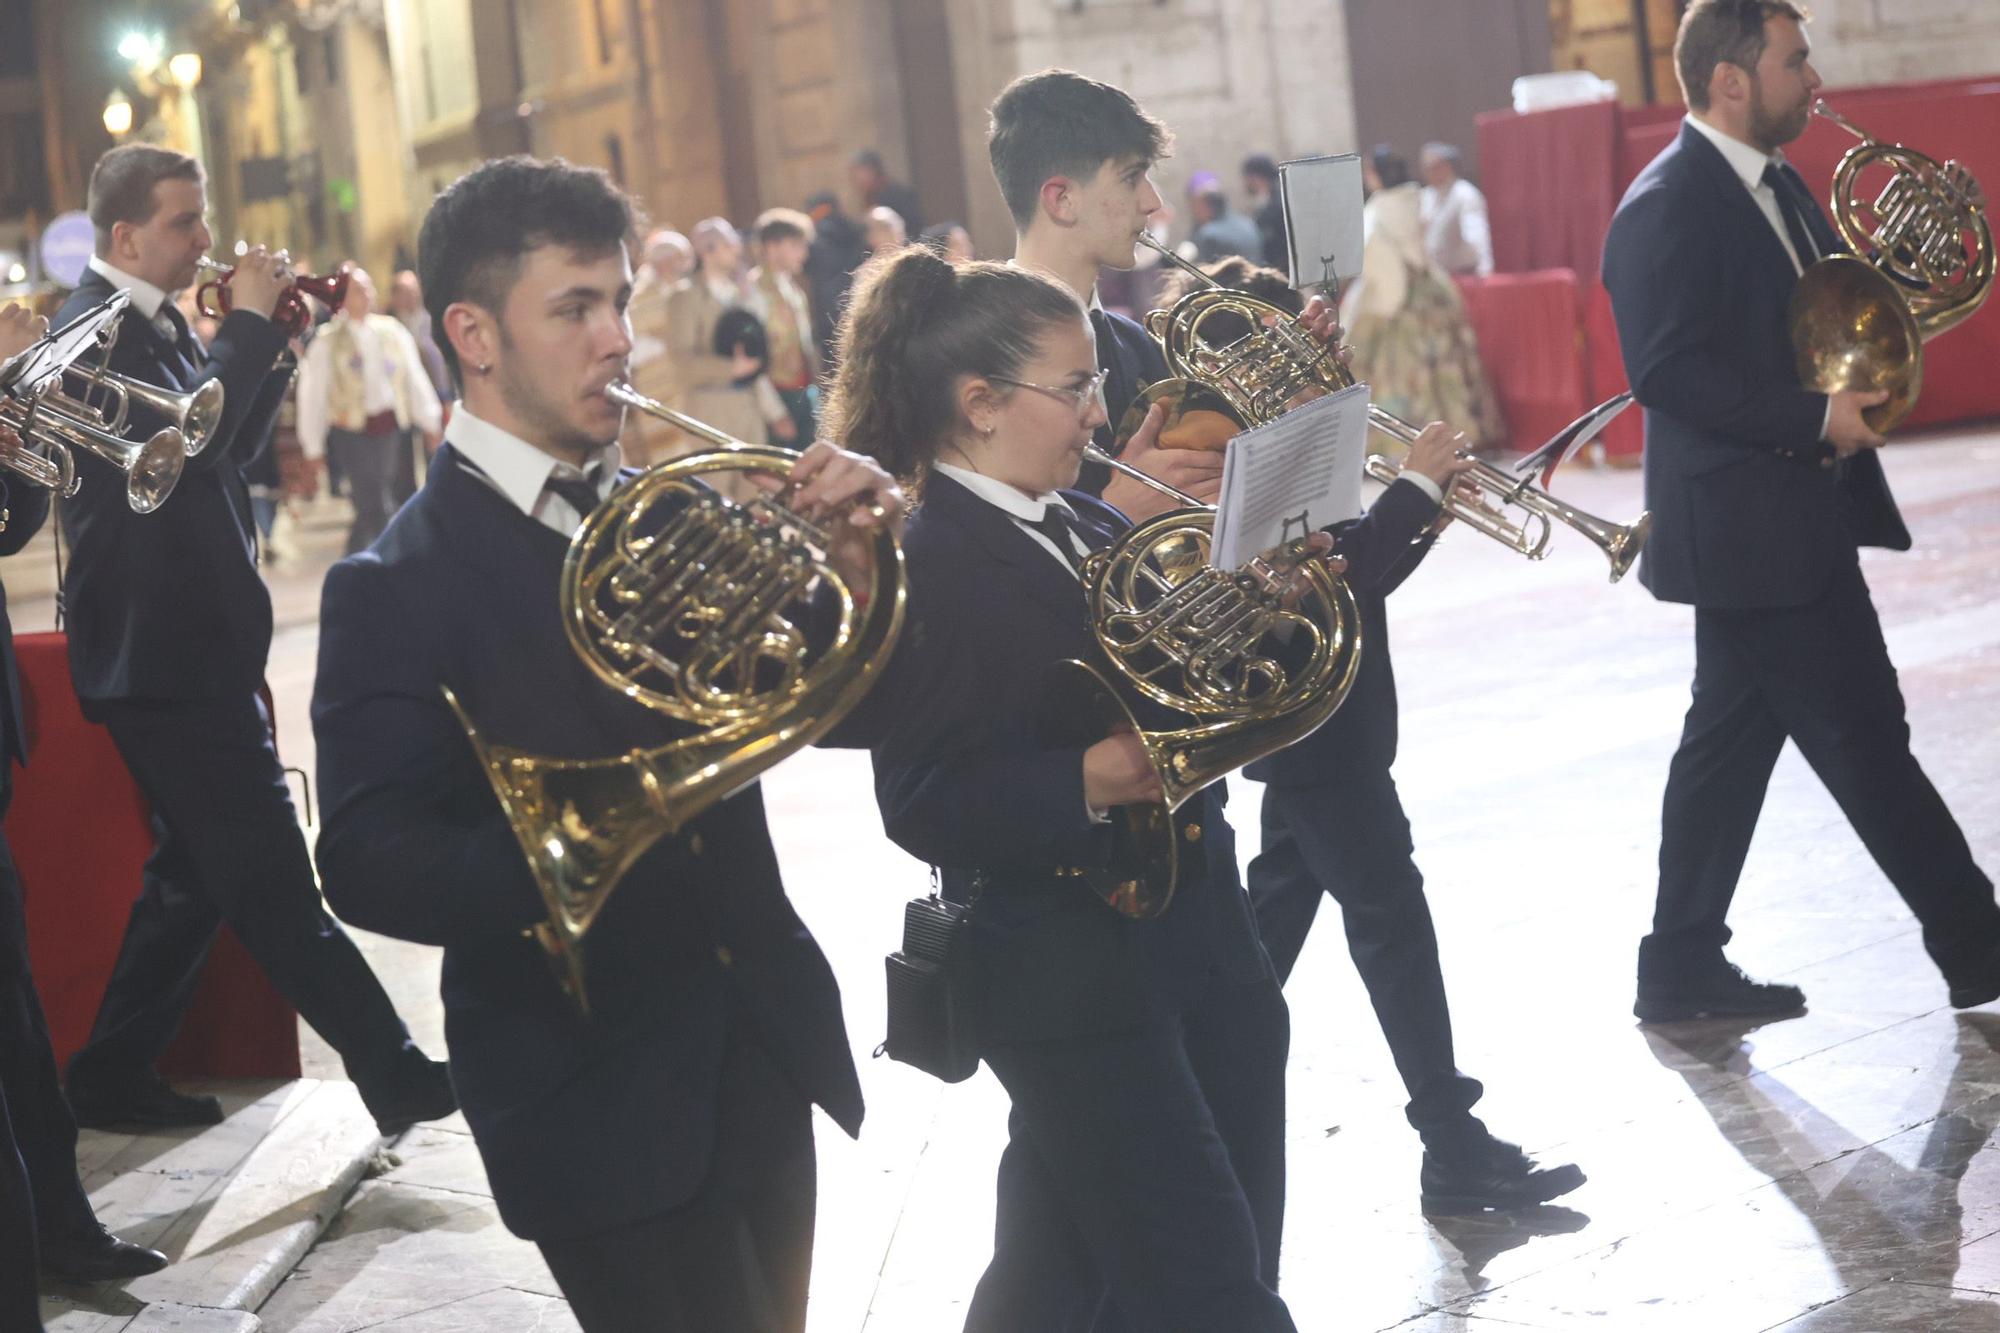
x,y
1923,263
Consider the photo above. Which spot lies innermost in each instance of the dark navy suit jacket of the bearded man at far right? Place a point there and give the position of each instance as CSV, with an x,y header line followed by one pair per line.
x,y
1747,505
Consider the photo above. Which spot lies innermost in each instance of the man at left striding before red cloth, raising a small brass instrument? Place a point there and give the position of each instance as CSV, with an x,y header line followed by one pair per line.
x,y
169,633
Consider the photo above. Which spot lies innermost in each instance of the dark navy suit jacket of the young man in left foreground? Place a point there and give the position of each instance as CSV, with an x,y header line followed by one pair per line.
x,y
583,1124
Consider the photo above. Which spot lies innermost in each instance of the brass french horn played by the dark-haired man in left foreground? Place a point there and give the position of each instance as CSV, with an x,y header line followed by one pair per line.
x,y
685,601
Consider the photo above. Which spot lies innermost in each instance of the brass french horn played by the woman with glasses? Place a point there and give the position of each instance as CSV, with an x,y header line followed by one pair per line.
x,y
1255,659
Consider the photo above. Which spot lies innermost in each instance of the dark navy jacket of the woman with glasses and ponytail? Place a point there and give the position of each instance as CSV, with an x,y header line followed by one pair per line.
x,y
969,784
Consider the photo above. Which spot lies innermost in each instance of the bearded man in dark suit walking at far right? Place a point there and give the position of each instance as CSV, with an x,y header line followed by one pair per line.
x,y
1761,493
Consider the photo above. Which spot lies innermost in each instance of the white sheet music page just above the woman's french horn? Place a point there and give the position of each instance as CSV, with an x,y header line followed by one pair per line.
x,y
1291,477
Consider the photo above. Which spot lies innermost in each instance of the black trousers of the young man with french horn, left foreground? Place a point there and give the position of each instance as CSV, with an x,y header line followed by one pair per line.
x,y
739,1256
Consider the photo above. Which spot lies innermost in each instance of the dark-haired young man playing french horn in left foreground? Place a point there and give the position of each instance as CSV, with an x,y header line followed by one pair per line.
x,y
659,1150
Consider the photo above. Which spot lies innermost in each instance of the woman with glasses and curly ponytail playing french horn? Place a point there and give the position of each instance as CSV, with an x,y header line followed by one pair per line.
x,y
1145,1058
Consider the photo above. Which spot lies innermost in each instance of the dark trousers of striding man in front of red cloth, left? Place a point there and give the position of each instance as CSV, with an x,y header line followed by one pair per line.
x,y
227,848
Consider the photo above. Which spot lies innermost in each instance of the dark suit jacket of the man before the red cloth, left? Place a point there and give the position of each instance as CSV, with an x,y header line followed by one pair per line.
x,y
171,605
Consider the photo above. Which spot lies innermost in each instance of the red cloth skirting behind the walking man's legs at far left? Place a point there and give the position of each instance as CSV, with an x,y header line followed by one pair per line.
x,y
81,836
